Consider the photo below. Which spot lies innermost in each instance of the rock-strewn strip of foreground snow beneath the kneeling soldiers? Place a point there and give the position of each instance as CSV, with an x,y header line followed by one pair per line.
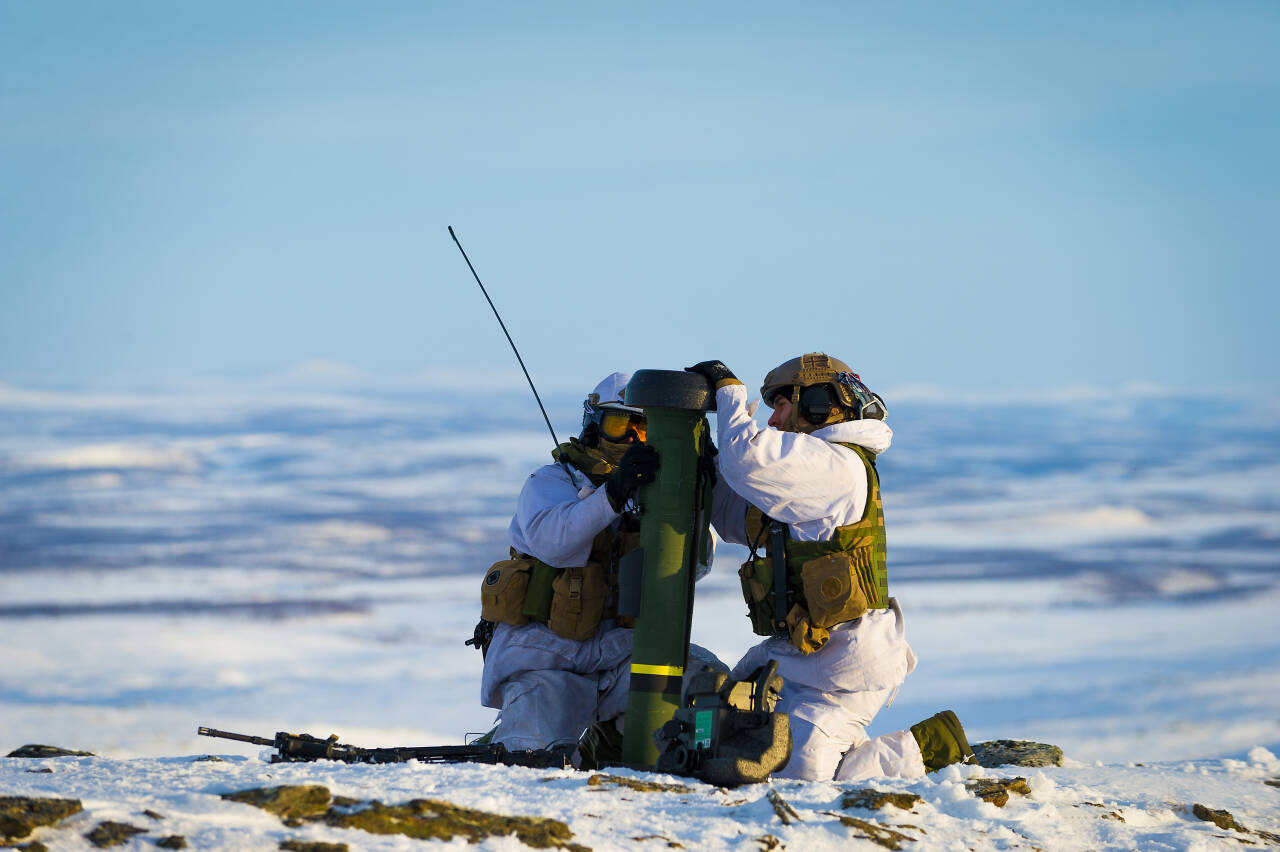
x,y
1077,808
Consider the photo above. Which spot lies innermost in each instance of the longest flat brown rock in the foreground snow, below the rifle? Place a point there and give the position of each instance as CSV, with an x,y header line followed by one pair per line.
x,y
423,818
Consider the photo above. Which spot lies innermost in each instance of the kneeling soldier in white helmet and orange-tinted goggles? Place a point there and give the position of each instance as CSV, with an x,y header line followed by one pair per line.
x,y
557,662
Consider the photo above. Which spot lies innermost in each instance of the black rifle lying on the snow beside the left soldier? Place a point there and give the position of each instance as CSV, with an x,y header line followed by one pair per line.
x,y
305,748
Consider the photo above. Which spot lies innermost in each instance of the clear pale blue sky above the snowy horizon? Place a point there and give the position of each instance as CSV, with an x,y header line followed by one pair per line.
x,y
990,196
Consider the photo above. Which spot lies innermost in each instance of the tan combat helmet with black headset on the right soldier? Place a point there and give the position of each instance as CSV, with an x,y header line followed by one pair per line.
x,y
824,391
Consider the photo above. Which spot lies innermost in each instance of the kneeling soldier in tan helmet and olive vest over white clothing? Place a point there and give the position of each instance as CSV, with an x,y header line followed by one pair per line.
x,y
804,497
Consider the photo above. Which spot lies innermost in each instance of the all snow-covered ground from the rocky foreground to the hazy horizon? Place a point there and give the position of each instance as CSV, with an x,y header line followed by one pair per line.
x,y
1094,571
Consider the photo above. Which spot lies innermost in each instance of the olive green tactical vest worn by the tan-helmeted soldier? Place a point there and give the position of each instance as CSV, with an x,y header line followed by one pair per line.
x,y
863,542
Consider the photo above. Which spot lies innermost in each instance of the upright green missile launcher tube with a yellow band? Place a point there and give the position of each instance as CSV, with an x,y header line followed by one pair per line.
x,y
673,532
